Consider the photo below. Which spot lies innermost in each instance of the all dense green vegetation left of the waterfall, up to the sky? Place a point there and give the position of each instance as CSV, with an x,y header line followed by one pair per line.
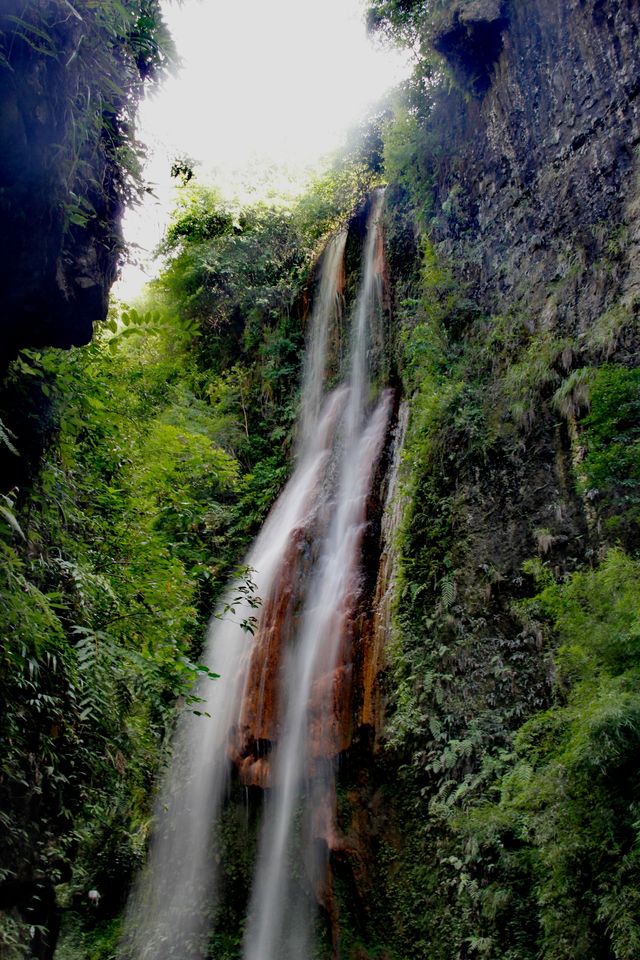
x,y
169,437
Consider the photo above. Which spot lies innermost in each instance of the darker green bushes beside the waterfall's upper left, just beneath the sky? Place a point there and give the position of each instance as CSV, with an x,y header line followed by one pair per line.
x,y
236,278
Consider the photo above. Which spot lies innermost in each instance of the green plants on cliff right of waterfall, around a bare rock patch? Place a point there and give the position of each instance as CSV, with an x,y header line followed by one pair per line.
x,y
531,827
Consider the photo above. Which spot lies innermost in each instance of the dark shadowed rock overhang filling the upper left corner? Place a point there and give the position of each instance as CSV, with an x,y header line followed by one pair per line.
x,y
70,77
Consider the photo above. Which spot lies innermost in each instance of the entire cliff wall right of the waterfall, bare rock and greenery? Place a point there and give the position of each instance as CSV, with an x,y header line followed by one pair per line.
x,y
512,226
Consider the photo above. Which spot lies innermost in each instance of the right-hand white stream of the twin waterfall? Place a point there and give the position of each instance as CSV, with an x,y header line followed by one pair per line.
x,y
277,919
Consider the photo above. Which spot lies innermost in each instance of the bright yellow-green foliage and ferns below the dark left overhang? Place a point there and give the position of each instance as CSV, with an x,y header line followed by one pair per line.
x,y
111,565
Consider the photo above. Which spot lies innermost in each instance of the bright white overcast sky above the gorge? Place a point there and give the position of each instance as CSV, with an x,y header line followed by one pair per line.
x,y
263,84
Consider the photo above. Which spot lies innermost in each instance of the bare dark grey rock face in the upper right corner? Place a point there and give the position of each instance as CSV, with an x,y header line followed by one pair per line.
x,y
541,168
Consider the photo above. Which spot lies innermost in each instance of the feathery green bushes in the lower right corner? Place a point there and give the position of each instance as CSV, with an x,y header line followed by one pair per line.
x,y
533,853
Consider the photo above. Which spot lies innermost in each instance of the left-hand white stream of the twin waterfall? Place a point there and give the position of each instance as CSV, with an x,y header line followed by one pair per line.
x,y
170,911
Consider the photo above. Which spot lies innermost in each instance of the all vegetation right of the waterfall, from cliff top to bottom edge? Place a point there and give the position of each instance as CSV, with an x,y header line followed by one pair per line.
x,y
514,661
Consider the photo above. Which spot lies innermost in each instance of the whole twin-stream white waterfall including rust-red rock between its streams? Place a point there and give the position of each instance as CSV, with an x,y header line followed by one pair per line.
x,y
278,711
